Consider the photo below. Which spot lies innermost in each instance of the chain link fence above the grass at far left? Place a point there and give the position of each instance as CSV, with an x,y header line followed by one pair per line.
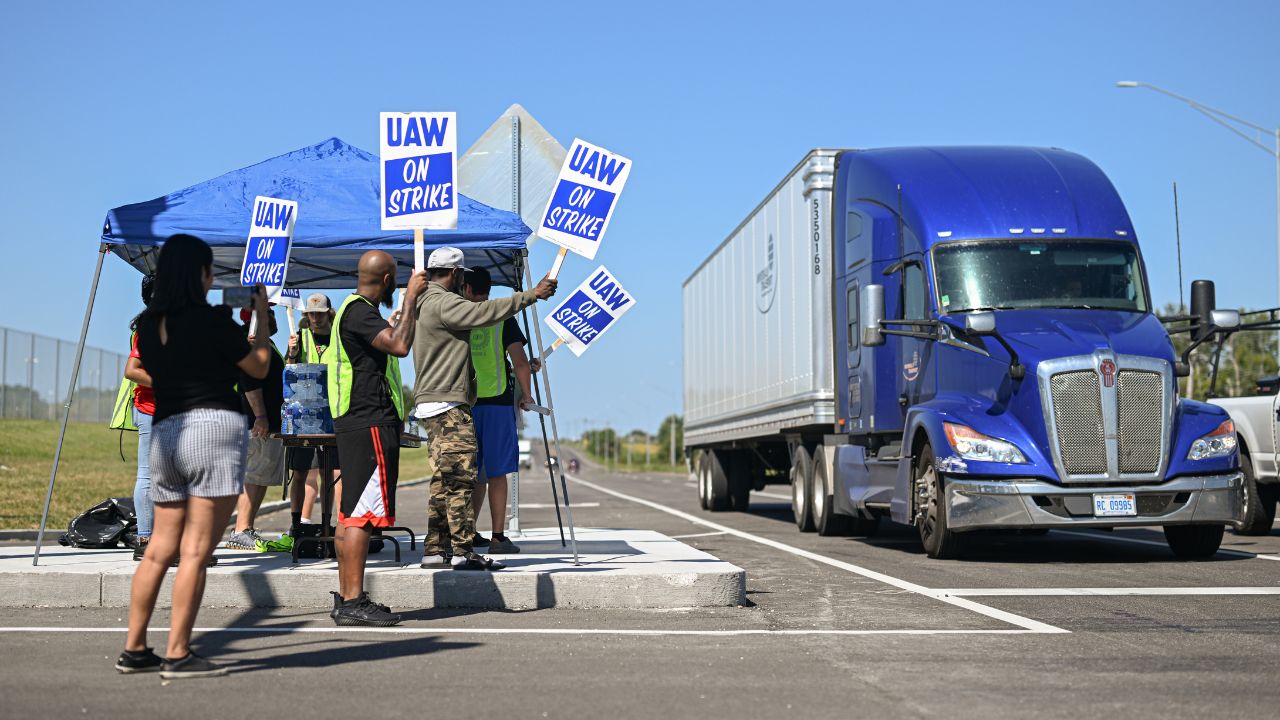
x,y
35,372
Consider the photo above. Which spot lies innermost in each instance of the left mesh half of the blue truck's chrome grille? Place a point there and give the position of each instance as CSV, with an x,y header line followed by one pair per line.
x,y
1078,418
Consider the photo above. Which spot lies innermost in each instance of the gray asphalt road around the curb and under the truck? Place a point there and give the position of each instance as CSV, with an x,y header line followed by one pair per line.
x,y
1063,626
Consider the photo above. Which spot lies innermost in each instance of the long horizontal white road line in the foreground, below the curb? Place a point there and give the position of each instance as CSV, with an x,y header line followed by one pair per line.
x,y
429,631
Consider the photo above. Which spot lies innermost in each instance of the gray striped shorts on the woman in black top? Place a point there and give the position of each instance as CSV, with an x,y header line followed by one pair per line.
x,y
199,453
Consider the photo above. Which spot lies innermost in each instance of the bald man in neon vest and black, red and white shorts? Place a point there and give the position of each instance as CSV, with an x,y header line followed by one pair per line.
x,y
367,399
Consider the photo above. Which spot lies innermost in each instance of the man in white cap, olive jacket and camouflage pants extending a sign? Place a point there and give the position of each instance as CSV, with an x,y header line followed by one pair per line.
x,y
445,393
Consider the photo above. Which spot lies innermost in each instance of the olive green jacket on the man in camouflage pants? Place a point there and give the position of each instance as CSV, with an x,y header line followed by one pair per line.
x,y
442,344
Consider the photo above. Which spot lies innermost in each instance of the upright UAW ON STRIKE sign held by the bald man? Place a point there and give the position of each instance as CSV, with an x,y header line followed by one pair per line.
x,y
419,171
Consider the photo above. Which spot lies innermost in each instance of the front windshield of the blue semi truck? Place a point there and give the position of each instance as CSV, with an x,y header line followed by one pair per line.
x,y
1060,274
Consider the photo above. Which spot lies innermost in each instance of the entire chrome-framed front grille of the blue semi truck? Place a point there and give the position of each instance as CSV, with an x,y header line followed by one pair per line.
x,y
1116,434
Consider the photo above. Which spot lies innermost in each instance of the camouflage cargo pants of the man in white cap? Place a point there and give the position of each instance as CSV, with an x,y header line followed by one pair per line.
x,y
450,518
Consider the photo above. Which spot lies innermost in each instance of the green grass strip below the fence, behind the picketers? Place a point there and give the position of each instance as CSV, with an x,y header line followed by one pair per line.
x,y
90,471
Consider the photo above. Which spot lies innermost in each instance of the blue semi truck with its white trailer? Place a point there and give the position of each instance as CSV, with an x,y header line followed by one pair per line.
x,y
956,339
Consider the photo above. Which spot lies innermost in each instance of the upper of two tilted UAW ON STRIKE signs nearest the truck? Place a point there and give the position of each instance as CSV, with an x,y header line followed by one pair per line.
x,y
584,198
